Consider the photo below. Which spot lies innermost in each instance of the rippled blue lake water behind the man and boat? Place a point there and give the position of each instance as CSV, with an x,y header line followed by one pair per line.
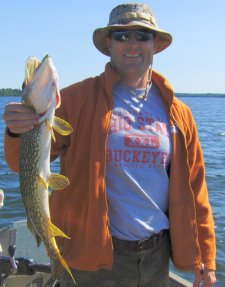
x,y
209,114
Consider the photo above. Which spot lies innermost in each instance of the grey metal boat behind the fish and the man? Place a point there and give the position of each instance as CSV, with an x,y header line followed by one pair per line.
x,y
23,264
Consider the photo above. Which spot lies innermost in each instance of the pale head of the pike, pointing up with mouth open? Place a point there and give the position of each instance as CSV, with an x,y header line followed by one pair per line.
x,y
41,91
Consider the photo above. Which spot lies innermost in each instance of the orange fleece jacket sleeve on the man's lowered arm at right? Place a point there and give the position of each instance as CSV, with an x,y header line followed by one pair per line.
x,y
204,217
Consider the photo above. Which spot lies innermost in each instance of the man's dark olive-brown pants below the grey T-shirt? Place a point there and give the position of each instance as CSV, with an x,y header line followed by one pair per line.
x,y
149,268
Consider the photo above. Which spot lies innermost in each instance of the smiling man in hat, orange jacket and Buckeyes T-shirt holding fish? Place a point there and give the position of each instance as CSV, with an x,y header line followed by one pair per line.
x,y
135,166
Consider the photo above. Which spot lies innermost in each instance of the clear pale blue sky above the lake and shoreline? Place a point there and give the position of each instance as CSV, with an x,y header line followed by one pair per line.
x,y
194,62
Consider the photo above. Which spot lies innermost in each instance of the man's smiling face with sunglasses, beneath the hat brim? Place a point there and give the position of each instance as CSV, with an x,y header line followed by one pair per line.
x,y
131,53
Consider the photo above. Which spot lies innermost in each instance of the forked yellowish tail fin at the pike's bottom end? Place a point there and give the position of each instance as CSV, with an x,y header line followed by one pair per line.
x,y
58,266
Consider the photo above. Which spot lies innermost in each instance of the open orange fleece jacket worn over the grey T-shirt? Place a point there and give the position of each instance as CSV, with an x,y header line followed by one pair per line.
x,y
80,210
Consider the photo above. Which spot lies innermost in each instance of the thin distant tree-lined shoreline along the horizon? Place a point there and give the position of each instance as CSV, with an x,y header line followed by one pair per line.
x,y
18,92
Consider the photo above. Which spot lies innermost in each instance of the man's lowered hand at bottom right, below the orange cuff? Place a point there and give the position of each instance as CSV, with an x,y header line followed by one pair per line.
x,y
206,276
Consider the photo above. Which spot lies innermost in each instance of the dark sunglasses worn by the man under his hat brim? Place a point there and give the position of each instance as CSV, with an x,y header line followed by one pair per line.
x,y
125,35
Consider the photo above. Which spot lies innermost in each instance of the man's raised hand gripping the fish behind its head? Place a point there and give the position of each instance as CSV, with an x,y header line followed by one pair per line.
x,y
19,119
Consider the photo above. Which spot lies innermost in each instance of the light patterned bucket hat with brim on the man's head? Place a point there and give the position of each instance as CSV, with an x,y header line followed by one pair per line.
x,y
131,15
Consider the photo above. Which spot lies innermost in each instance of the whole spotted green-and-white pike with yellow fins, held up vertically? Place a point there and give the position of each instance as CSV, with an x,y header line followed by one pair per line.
x,y
41,93
